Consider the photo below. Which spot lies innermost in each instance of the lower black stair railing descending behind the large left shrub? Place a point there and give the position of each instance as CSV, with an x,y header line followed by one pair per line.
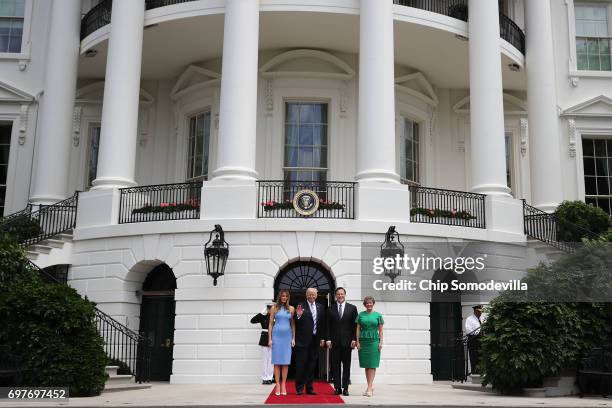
x,y
135,352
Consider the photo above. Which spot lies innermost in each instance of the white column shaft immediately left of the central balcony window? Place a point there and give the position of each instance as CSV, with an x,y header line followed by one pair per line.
x,y
238,105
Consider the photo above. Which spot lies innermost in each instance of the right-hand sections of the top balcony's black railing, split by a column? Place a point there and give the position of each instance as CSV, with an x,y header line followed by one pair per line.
x,y
508,29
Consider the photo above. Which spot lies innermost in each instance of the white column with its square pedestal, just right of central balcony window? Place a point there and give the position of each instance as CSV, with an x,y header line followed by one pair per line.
x,y
379,193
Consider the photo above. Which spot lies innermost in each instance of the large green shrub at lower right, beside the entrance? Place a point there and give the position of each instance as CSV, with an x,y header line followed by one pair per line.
x,y
526,340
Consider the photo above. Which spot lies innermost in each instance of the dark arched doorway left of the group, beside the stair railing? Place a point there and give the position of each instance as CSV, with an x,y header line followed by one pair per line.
x,y
157,319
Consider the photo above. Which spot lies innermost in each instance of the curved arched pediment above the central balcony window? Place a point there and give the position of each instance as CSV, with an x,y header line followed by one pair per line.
x,y
307,63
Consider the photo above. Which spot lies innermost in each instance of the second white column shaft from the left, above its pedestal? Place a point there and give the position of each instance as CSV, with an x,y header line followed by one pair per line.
x,y
117,154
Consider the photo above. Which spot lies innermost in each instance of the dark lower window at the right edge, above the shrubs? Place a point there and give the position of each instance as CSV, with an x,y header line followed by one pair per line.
x,y
597,162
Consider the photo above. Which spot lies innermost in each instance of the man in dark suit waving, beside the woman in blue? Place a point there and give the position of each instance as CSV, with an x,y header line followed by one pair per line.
x,y
310,323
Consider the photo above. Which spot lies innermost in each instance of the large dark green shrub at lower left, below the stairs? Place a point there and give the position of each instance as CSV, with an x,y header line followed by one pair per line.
x,y
52,329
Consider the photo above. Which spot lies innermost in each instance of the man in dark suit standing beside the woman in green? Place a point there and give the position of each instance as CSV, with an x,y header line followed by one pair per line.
x,y
341,329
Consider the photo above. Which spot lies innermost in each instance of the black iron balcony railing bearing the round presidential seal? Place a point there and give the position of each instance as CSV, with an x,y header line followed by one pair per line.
x,y
275,199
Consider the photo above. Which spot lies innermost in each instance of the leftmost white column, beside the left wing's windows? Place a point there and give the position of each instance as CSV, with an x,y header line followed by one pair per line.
x,y
50,182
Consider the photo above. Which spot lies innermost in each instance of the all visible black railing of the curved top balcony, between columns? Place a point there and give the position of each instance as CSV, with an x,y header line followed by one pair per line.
x,y
100,15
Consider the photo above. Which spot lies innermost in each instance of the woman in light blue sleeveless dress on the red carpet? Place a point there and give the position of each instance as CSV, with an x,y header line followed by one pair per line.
x,y
281,338
